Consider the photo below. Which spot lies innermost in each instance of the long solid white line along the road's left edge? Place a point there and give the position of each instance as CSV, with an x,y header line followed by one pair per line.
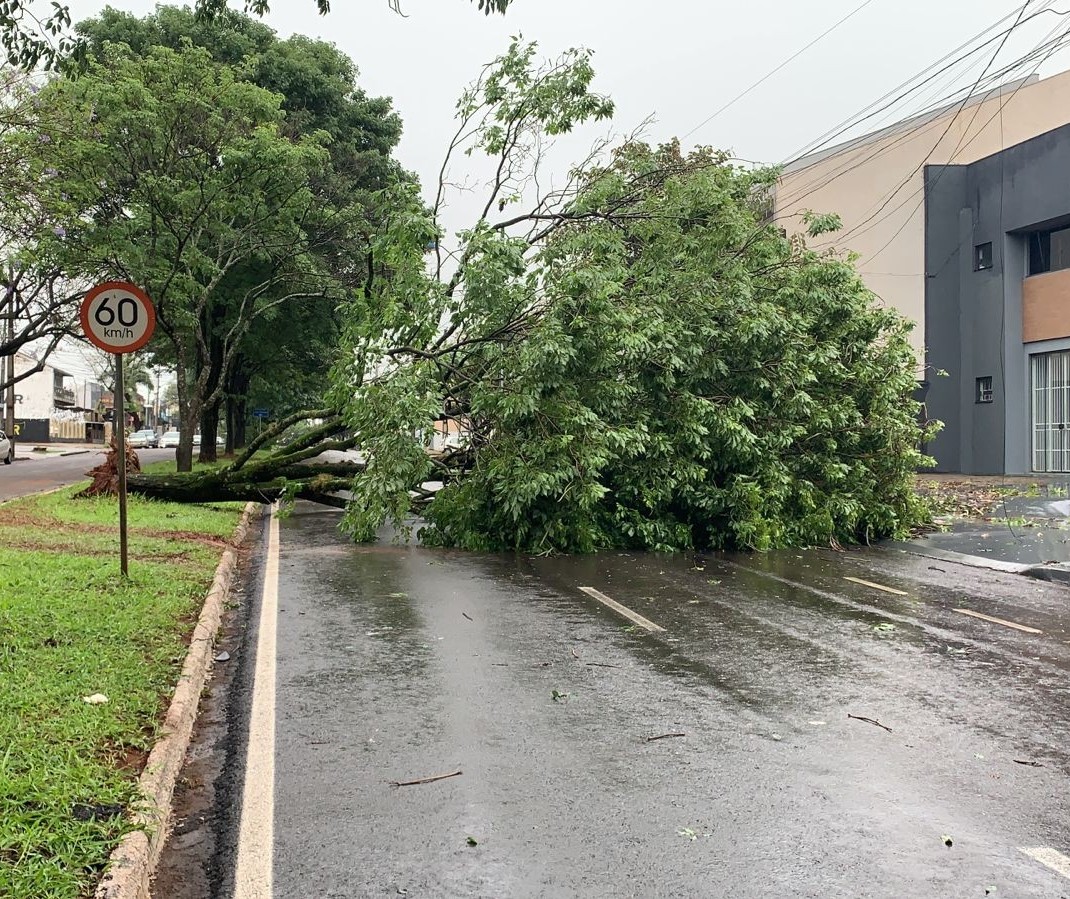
x,y
253,879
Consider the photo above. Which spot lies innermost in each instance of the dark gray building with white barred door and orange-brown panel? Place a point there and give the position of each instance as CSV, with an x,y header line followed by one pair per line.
x,y
998,309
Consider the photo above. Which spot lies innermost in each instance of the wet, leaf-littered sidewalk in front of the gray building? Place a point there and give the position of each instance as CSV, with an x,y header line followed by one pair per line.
x,y
1026,531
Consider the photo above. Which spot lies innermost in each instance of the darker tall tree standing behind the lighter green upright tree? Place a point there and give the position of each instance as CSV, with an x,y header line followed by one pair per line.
x,y
318,85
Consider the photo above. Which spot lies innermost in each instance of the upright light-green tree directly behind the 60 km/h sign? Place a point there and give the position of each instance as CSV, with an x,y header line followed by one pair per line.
x,y
176,175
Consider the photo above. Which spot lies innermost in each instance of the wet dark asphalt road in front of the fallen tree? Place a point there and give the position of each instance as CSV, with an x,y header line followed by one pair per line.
x,y
396,664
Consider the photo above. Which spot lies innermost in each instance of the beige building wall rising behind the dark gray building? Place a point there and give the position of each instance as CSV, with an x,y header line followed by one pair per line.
x,y
877,184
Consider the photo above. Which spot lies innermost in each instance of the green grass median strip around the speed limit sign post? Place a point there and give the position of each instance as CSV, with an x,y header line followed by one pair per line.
x,y
69,629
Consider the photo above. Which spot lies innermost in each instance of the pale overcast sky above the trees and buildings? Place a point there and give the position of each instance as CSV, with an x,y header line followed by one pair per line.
x,y
678,60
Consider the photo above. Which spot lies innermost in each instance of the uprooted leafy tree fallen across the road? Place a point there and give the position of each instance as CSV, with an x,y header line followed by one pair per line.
x,y
638,359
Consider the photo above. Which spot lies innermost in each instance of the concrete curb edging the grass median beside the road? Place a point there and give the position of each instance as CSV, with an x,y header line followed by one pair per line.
x,y
134,861
